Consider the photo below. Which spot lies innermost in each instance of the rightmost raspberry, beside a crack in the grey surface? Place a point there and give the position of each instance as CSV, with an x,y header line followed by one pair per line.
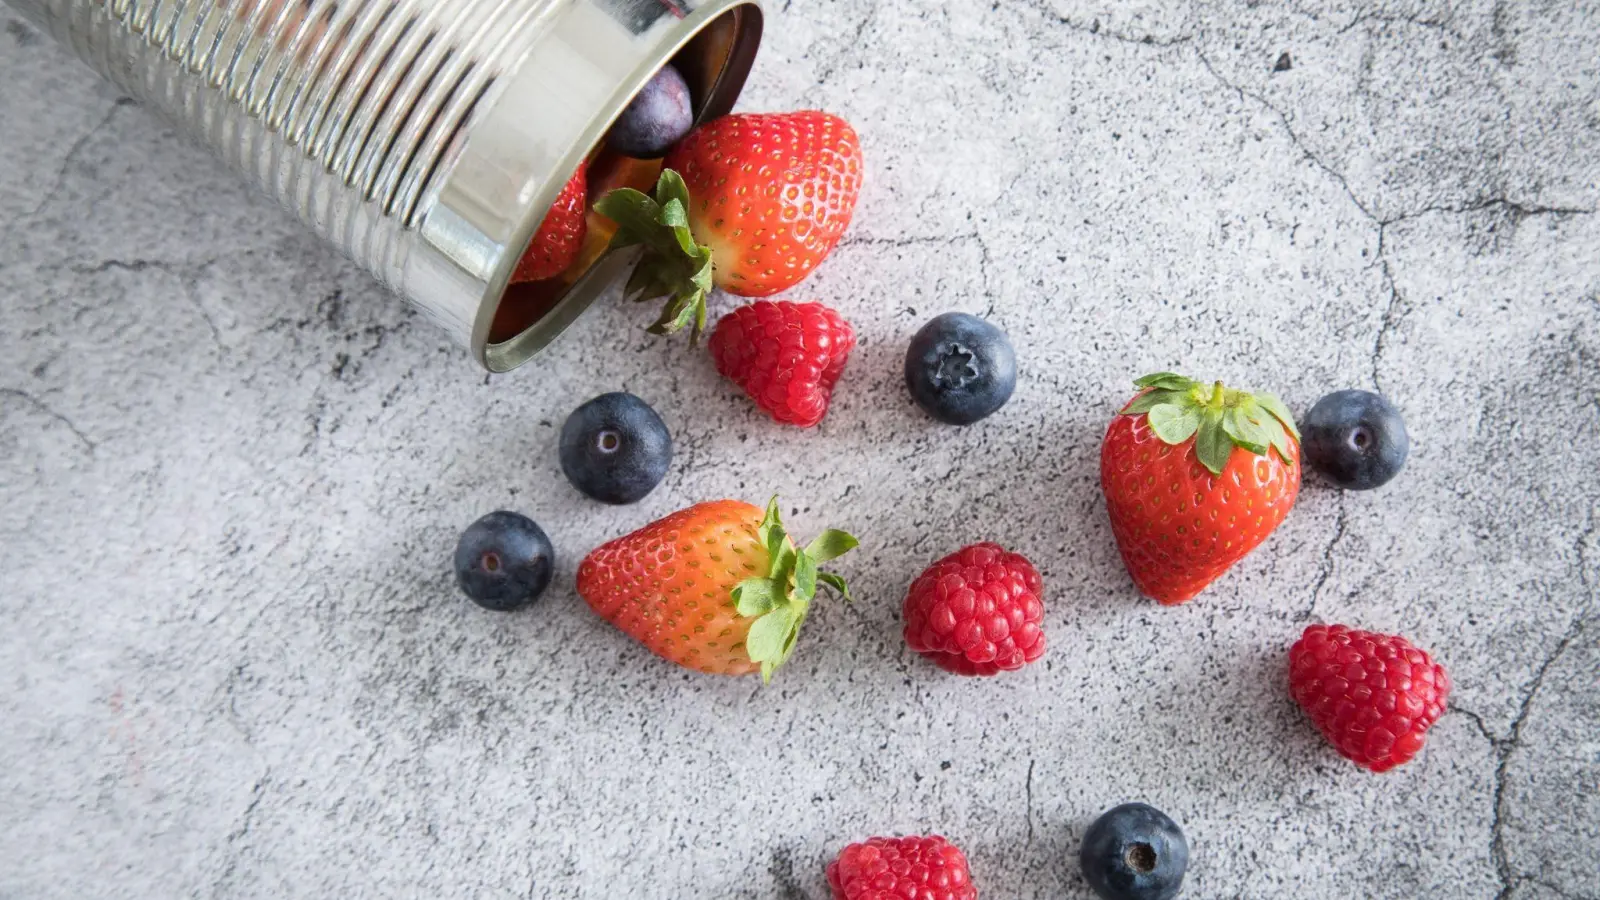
x,y
1372,696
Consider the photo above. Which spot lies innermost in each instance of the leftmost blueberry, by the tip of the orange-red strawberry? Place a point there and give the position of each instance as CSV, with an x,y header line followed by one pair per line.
x,y
505,561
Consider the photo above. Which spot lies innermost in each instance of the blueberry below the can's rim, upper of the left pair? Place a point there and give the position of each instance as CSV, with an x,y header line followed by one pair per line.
x,y
615,449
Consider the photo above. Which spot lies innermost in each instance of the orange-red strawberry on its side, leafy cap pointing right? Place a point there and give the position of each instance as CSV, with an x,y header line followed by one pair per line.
x,y
718,587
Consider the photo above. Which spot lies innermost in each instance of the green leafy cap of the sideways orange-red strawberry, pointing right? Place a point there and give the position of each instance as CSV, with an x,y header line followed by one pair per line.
x,y
782,600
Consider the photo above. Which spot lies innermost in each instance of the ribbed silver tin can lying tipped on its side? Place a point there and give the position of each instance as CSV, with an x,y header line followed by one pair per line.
x,y
423,139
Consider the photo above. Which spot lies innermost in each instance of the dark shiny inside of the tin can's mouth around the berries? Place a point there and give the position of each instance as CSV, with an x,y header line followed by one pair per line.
x,y
716,63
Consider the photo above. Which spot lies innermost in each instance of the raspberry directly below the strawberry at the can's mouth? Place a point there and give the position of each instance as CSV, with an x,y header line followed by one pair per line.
x,y
786,356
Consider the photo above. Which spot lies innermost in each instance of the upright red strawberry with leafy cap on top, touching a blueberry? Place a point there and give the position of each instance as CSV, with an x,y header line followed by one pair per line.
x,y
1196,478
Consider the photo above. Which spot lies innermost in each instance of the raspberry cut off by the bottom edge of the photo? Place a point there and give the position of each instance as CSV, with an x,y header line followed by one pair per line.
x,y
900,869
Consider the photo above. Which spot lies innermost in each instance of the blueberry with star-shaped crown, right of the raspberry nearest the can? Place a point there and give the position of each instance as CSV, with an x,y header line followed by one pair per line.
x,y
961,369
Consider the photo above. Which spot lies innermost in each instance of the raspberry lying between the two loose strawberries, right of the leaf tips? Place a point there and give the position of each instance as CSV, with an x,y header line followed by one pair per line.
x,y
978,613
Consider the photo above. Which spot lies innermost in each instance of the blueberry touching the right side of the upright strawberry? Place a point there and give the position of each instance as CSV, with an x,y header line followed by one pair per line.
x,y
1356,440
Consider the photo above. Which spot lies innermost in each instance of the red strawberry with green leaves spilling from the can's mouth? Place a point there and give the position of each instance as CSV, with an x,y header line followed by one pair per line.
x,y
750,204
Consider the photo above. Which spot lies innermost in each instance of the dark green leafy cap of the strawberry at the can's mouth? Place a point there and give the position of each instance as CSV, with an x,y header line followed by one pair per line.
x,y
676,265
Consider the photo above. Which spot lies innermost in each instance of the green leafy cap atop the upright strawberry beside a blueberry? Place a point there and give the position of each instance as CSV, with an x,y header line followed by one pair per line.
x,y
1217,417
